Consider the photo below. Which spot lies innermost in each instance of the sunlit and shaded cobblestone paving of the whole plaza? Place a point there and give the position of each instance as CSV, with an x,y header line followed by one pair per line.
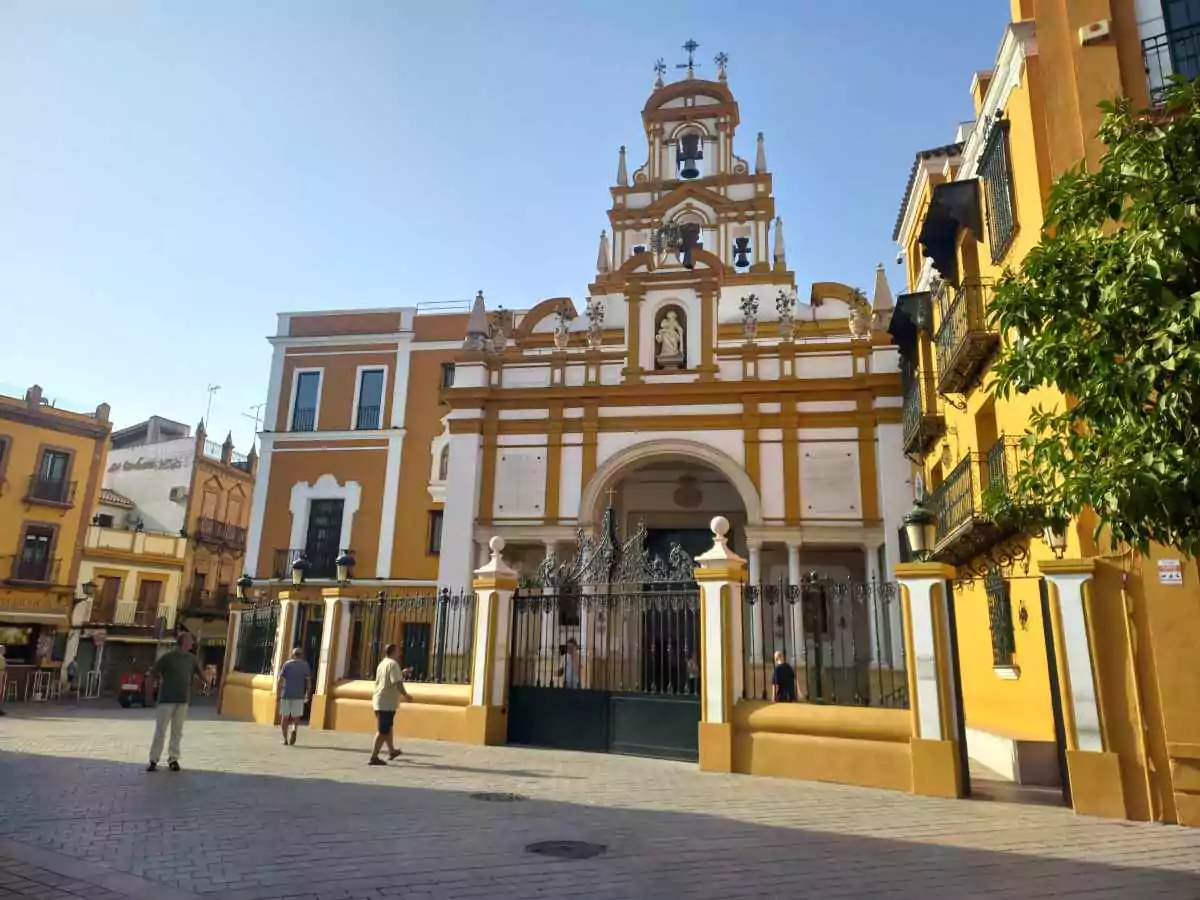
x,y
251,819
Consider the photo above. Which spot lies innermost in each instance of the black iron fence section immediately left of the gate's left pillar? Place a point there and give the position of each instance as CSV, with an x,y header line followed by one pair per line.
x,y
435,633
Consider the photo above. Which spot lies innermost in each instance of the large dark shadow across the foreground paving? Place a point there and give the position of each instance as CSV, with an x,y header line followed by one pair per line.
x,y
241,837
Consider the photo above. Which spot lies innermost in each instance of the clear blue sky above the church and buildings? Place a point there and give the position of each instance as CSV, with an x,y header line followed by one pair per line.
x,y
175,173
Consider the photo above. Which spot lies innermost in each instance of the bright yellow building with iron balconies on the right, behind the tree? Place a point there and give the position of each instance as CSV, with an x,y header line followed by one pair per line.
x,y
1059,689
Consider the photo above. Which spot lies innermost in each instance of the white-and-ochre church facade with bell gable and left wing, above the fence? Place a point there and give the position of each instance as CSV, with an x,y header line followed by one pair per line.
x,y
695,380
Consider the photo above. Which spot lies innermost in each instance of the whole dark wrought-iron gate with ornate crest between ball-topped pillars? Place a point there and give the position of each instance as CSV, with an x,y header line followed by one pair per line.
x,y
607,652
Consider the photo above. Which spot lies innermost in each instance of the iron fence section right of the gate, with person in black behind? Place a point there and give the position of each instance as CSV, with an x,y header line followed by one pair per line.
x,y
844,641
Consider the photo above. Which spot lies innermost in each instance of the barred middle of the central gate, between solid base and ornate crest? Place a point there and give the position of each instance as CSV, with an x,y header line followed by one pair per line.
x,y
616,639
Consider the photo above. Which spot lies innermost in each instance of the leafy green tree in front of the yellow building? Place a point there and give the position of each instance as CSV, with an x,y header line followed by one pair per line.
x,y
1107,309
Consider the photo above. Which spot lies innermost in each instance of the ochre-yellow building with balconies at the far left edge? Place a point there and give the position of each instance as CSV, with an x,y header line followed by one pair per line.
x,y
51,465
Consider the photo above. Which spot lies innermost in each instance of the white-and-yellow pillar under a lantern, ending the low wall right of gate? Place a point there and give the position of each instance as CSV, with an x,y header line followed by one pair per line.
x,y
932,697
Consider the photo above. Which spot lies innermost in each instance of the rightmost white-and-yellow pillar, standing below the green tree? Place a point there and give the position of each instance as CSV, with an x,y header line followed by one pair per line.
x,y
1095,772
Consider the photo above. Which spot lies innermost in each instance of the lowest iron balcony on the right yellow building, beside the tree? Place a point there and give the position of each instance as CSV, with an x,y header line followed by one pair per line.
x,y
964,530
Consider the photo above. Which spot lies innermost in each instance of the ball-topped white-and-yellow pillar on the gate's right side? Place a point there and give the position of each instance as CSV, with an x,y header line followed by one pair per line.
x,y
719,573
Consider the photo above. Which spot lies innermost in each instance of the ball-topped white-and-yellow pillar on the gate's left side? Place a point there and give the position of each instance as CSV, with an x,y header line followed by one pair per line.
x,y
495,585
